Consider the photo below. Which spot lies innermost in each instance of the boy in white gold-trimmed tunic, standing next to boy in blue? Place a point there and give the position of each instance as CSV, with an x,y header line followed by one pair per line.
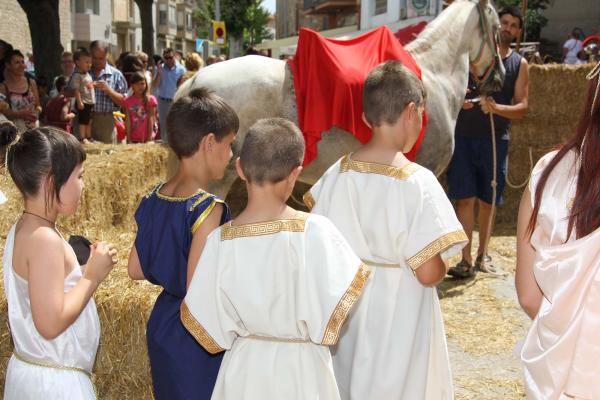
x,y
274,286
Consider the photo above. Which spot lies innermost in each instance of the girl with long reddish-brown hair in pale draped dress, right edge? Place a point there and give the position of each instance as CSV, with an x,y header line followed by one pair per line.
x,y
558,264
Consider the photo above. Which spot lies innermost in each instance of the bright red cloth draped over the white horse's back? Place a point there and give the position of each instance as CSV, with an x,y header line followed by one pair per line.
x,y
329,75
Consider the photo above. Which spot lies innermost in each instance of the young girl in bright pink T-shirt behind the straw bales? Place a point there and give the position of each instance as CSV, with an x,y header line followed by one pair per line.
x,y
140,109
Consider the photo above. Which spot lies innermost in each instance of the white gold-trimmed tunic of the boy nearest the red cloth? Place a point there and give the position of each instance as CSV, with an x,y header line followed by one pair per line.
x,y
395,219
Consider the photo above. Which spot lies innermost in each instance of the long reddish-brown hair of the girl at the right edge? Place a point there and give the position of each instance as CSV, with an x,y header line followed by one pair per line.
x,y
585,213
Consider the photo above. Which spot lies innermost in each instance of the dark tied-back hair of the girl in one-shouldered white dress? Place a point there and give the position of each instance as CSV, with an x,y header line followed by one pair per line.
x,y
40,153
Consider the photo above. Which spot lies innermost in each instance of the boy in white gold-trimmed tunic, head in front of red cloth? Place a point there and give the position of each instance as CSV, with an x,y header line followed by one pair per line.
x,y
398,220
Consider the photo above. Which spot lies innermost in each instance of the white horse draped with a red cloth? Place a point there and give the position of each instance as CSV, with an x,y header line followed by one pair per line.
x,y
463,36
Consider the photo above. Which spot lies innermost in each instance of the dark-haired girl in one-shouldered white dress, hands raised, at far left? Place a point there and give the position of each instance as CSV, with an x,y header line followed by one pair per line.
x,y
52,316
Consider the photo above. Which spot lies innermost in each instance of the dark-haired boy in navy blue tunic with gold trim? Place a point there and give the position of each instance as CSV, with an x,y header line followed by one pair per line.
x,y
173,221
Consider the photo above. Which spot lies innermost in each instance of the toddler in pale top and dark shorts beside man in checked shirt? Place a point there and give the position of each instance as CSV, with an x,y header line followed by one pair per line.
x,y
83,84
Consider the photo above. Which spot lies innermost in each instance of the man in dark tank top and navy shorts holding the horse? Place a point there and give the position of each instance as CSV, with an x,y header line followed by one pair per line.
x,y
470,172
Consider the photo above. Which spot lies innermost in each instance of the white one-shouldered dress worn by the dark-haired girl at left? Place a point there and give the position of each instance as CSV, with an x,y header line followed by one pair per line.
x,y
75,347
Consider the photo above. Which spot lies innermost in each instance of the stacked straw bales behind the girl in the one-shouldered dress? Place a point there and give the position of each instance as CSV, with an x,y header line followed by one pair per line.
x,y
116,177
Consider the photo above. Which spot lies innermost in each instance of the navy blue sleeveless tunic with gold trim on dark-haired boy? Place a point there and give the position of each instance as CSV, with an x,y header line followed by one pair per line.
x,y
181,368
